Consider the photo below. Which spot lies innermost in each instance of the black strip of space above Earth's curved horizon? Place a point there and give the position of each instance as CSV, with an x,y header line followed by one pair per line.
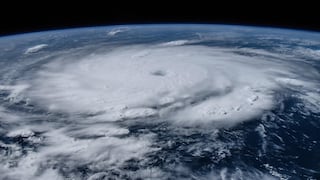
x,y
46,16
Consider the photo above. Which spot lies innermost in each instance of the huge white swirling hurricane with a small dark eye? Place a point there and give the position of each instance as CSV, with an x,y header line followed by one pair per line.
x,y
188,85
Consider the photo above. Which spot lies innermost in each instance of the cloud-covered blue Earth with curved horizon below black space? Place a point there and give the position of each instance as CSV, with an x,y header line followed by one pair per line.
x,y
160,102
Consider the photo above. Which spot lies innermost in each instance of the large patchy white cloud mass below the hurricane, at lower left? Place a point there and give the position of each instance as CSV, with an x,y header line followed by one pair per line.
x,y
79,146
